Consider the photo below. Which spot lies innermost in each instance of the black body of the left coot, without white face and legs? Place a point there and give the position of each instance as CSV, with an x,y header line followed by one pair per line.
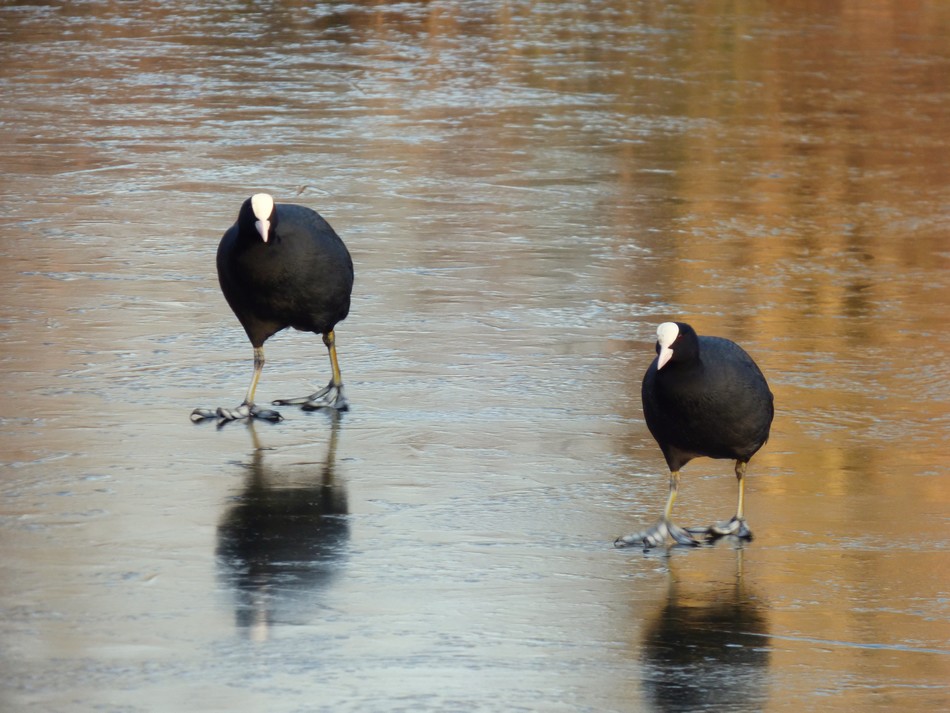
x,y
301,277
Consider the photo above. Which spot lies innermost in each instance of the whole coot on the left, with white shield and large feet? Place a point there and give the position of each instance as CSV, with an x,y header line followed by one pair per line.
x,y
282,265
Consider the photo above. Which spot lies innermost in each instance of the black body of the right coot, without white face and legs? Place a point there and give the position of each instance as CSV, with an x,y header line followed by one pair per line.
x,y
710,400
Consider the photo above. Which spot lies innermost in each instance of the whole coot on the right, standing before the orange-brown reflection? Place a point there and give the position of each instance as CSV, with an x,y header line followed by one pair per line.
x,y
702,396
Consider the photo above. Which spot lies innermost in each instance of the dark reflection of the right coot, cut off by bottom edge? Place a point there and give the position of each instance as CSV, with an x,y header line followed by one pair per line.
x,y
708,647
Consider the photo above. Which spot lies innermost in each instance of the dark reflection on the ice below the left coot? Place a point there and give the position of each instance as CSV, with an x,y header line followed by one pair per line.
x,y
285,539
